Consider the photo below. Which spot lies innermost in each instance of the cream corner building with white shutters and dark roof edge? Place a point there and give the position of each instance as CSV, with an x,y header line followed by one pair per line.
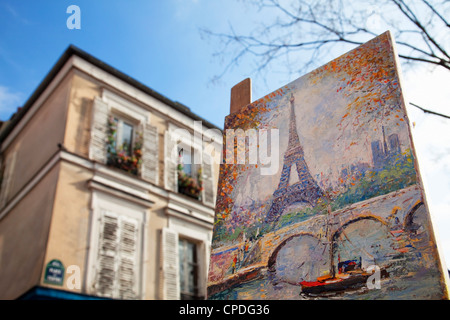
x,y
106,190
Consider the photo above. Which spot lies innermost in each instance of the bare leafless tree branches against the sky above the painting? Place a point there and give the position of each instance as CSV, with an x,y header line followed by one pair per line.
x,y
301,33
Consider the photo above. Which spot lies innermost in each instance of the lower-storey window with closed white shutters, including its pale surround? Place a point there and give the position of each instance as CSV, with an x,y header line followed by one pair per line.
x,y
116,248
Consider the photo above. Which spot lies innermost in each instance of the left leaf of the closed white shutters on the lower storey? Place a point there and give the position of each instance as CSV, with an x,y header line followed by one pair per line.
x,y
107,252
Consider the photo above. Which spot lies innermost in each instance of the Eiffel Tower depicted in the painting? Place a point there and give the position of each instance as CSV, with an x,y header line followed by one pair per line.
x,y
306,188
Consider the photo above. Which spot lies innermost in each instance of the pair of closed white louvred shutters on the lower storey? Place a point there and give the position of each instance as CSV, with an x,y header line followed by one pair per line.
x,y
118,257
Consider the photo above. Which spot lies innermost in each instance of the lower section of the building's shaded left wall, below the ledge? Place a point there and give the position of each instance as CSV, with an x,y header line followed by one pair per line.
x,y
23,237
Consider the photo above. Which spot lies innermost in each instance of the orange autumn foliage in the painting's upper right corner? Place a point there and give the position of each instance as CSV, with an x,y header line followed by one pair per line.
x,y
368,81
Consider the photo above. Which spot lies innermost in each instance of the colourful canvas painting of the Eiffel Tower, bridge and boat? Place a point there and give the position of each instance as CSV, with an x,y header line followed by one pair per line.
x,y
343,214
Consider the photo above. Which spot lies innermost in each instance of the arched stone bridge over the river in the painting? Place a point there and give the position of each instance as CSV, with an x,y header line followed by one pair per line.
x,y
395,210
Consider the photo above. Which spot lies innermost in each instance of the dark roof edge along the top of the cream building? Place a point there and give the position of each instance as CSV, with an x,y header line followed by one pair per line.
x,y
72,50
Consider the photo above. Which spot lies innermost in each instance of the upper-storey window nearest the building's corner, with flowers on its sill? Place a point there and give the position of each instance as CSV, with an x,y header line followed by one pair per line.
x,y
124,149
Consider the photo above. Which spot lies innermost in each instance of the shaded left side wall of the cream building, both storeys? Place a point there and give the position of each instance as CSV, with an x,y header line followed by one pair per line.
x,y
24,222
